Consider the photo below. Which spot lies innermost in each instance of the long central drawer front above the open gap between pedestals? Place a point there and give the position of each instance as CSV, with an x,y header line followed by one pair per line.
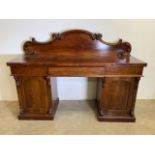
x,y
76,71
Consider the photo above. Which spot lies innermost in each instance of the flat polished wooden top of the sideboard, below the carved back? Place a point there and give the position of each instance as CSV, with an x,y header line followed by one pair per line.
x,y
22,60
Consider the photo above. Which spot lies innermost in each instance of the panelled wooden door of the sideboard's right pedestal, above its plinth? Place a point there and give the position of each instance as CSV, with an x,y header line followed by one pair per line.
x,y
117,95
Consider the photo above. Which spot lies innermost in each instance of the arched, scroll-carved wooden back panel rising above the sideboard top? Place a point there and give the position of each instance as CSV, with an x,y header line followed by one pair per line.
x,y
78,44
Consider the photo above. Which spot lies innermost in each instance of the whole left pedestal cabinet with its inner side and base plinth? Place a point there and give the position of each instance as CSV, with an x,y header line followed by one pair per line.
x,y
37,98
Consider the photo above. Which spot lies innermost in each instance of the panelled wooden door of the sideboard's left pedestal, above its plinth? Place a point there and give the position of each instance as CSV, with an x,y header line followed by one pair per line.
x,y
34,94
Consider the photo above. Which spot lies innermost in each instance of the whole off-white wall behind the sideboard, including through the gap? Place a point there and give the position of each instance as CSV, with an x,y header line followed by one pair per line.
x,y
140,33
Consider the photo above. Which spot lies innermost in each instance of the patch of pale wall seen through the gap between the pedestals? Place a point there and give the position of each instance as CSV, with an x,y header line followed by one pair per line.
x,y
76,88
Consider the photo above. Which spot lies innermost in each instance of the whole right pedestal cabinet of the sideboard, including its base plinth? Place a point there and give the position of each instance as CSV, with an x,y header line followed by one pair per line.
x,y
117,98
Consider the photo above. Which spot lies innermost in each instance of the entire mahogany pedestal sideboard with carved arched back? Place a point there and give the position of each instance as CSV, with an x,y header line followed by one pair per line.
x,y
77,53
